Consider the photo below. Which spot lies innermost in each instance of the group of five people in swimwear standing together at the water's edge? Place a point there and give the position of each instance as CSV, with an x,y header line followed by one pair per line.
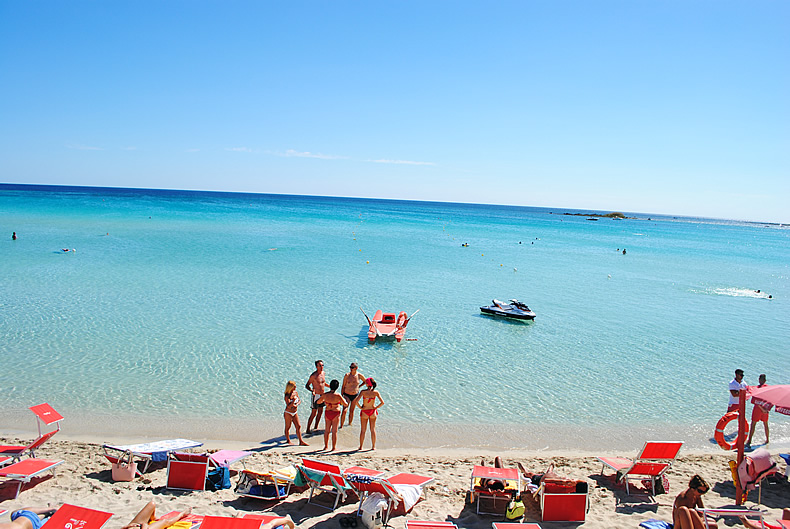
x,y
355,391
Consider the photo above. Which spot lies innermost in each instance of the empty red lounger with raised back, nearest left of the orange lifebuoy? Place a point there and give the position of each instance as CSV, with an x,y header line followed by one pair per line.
x,y
651,462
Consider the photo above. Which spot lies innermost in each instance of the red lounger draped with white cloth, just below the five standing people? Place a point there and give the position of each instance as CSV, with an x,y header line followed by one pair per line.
x,y
401,492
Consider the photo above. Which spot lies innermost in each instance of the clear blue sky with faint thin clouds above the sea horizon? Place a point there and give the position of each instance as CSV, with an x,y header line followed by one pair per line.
x,y
676,107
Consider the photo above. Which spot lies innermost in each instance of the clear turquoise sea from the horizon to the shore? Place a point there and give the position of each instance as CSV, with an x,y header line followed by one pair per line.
x,y
185,312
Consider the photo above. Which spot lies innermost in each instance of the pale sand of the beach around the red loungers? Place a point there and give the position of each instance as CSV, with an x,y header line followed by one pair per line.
x,y
85,479
